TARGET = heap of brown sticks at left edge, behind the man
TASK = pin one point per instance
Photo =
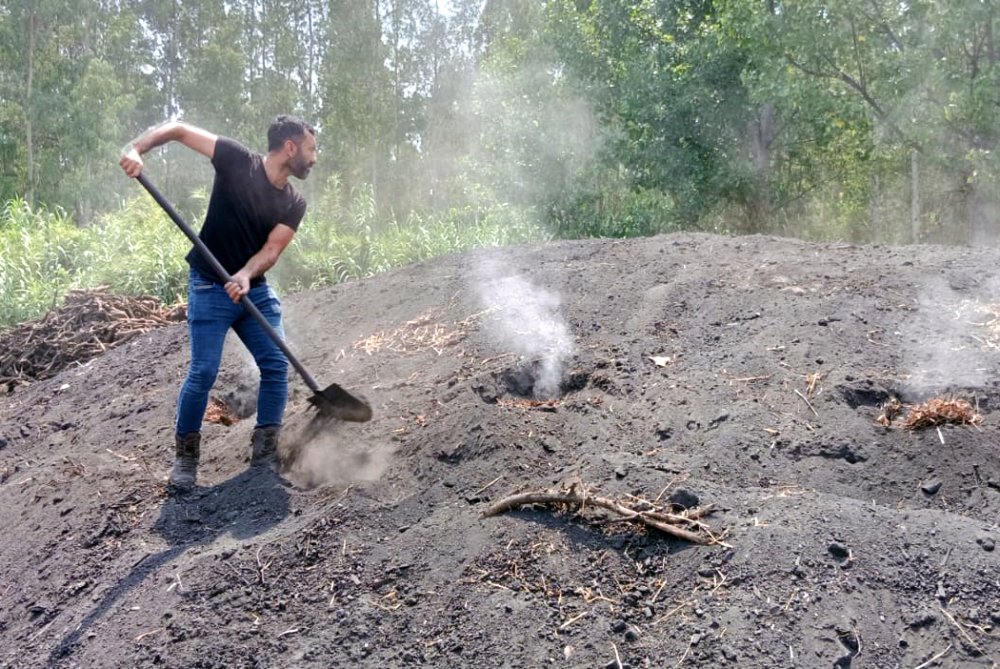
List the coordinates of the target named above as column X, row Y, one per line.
column 90, row 322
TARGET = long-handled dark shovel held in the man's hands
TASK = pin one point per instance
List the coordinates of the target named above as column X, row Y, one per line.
column 332, row 401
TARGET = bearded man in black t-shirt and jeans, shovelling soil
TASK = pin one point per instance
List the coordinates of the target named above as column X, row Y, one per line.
column 252, row 216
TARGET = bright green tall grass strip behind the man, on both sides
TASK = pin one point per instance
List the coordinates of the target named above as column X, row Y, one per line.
column 137, row 250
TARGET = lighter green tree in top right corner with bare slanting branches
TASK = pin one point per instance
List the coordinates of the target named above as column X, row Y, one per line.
column 872, row 93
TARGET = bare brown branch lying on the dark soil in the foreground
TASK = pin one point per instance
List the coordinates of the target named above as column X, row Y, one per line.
column 680, row 525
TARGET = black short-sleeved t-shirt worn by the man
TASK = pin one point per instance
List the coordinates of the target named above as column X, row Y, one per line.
column 243, row 209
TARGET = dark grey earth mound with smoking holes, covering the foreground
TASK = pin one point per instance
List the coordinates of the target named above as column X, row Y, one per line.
column 742, row 373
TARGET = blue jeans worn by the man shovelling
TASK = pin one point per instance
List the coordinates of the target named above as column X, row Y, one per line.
column 210, row 315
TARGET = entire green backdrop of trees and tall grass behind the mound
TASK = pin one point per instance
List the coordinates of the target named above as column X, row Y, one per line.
column 868, row 120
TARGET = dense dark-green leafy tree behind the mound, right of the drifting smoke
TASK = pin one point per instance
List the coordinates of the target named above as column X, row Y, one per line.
column 670, row 96
